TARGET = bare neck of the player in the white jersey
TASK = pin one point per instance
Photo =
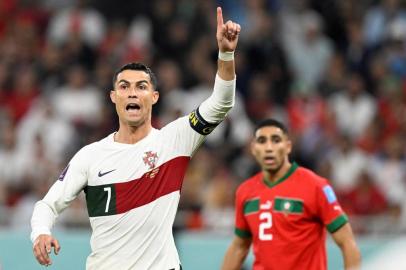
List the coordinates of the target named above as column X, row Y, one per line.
column 131, row 135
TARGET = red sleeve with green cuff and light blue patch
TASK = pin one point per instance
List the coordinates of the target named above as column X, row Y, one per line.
column 329, row 210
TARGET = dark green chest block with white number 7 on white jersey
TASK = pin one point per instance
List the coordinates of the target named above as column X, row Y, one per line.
column 97, row 199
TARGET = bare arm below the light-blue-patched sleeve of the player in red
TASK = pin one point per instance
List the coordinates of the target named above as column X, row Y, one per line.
column 346, row 242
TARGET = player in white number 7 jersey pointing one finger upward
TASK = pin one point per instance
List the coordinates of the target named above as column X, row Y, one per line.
column 132, row 178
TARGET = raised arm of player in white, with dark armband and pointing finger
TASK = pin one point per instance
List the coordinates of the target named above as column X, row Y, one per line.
column 204, row 119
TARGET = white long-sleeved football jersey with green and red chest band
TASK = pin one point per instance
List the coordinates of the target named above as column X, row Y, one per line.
column 133, row 190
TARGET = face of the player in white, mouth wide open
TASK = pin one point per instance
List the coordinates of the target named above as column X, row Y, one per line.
column 134, row 96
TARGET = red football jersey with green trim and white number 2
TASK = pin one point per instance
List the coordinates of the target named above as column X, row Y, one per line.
column 287, row 218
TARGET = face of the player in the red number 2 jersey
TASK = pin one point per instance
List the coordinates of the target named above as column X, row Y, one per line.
column 271, row 148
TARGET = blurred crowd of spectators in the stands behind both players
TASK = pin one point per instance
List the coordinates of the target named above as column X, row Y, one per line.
column 333, row 70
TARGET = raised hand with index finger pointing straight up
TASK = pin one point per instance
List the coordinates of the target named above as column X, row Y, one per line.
column 227, row 33
